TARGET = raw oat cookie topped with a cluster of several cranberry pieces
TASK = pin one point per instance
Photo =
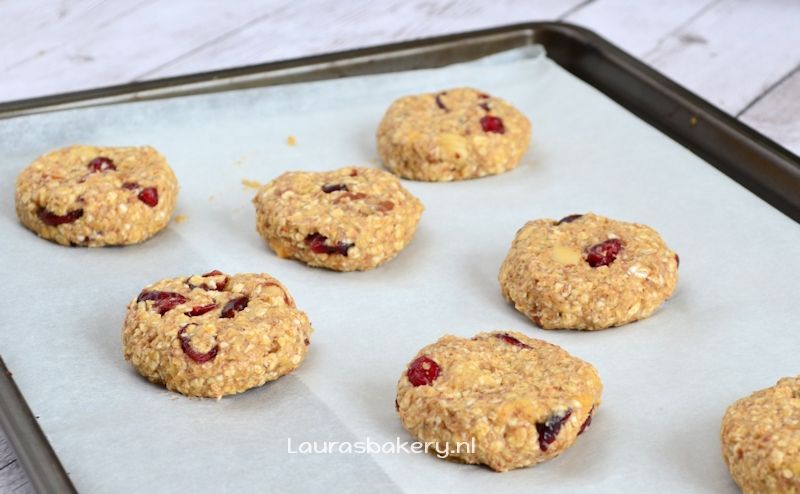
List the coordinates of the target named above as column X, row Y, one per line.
column 215, row 334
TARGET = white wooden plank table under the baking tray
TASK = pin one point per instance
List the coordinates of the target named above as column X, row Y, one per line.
column 742, row 55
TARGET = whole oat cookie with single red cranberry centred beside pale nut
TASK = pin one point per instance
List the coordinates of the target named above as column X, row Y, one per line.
column 587, row 272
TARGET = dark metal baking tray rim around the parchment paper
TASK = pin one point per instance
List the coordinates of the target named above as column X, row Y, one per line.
column 751, row 159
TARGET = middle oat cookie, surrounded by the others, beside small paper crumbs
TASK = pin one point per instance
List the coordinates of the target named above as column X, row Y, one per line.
column 346, row 220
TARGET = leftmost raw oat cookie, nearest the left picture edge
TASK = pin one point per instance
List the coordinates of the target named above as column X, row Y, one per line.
column 95, row 196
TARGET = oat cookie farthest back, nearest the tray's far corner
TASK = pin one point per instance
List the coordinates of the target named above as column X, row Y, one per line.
column 452, row 135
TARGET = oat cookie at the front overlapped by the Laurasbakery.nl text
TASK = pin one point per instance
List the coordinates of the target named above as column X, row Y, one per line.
column 520, row 401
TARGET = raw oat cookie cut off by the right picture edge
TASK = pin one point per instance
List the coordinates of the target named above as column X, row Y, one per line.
column 761, row 439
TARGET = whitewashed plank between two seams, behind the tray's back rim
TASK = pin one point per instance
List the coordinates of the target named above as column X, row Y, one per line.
column 289, row 31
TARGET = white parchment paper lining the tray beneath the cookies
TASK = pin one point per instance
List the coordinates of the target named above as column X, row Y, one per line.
column 730, row 329
